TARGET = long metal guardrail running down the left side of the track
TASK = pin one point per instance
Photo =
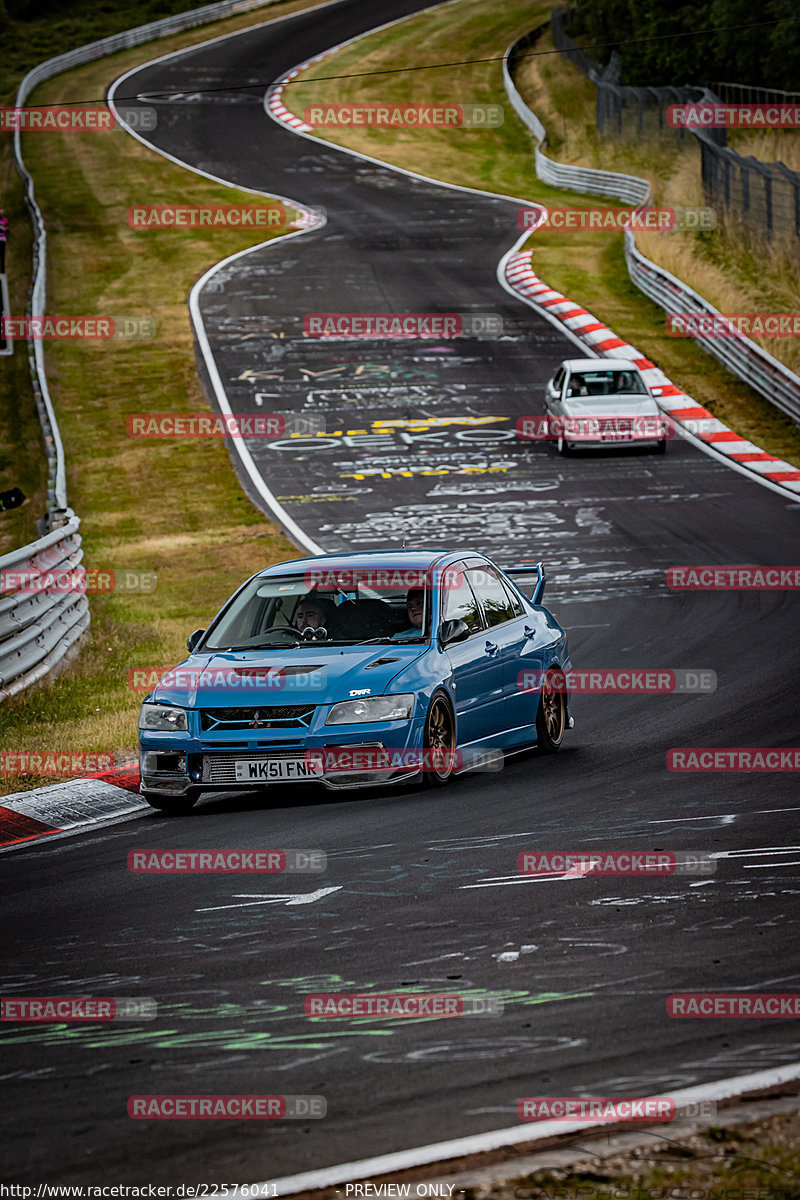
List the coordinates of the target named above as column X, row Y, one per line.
column 38, row 629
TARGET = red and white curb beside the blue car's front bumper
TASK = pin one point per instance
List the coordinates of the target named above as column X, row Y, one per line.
column 70, row 806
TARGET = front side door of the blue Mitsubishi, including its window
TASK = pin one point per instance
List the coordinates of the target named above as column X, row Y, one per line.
column 470, row 659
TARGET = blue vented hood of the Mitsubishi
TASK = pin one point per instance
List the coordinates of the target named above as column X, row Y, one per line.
column 315, row 675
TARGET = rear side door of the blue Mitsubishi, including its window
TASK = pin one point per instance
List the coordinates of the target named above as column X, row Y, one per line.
column 506, row 639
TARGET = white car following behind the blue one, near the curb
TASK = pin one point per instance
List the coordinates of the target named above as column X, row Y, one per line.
column 597, row 403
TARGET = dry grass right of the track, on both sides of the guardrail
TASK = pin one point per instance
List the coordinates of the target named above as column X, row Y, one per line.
column 587, row 266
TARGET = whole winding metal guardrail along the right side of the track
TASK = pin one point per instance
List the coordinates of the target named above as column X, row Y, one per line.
column 739, row 355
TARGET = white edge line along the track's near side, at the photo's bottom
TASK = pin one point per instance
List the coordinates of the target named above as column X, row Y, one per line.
column 520, row 1135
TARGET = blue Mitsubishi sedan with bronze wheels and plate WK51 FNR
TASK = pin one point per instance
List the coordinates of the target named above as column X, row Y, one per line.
column 359, row 669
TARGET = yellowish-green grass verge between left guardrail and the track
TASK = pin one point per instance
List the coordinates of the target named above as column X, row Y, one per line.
column 176, row 508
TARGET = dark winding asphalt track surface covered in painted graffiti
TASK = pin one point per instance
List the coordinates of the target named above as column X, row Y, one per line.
column 428, row 895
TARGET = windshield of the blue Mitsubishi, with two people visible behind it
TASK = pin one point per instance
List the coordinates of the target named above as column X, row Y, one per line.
column 341, row 608
